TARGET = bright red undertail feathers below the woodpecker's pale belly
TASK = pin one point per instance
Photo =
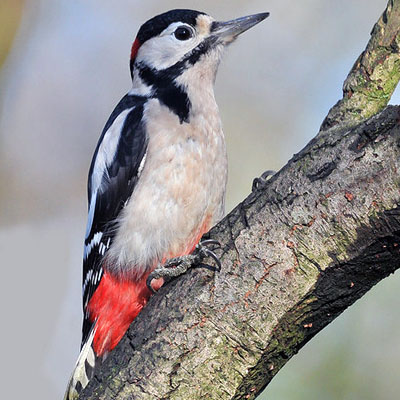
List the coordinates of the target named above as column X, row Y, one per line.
column 114, row 305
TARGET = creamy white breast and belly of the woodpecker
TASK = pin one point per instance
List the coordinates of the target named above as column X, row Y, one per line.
column 180, row 194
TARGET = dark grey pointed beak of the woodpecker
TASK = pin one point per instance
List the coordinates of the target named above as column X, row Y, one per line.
column 229, row 30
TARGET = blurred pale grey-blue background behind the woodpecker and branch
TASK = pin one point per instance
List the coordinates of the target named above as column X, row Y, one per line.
column 64, row 66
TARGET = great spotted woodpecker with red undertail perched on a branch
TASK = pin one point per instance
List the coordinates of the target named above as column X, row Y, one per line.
column 158, row 175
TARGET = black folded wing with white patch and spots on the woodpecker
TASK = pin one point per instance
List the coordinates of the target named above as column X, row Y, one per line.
column 113, row 175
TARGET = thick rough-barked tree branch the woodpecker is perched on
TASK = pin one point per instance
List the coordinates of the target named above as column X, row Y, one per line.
column 295, row 254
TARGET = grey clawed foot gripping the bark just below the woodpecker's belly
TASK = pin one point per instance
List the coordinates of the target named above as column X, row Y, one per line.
column 179, row 265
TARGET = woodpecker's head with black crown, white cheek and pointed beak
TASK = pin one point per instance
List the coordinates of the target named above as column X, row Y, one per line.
column 178, row 39
